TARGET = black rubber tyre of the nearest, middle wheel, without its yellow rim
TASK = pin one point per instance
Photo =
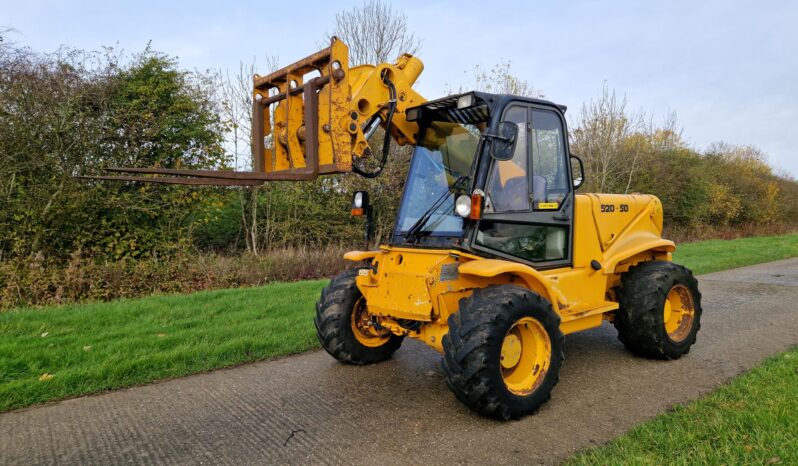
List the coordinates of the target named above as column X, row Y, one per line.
column 472, row 350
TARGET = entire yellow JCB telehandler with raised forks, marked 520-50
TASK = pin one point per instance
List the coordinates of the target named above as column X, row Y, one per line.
column 494, row 258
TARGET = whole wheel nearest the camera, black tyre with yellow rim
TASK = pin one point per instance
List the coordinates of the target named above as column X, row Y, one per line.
column 503, row 352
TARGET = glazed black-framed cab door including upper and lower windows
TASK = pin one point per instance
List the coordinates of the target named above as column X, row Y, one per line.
column 528, row 213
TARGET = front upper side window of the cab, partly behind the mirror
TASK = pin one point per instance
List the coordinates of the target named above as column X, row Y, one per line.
column 508, row 183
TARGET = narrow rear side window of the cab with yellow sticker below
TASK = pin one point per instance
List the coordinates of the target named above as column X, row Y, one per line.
column 549, row 165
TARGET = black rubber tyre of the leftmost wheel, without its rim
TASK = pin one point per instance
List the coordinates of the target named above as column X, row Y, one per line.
column 334, row 324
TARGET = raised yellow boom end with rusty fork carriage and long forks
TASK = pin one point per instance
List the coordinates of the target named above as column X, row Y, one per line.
column 312, row 118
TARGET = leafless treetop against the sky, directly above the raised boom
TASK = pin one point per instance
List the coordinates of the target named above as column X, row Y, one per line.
column 375, row 33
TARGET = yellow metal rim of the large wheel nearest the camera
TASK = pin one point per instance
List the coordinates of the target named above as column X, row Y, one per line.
column 525, row 356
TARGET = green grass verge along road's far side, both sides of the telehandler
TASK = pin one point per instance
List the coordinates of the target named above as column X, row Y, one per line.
column 91, row 348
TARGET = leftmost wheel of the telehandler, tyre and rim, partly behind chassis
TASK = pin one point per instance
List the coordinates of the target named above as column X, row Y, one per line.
column 345, row 328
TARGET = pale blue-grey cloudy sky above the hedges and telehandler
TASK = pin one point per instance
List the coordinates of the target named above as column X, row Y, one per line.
column 729, row 69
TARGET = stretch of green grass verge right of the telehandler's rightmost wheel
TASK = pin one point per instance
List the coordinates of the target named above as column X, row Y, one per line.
column 715, row 255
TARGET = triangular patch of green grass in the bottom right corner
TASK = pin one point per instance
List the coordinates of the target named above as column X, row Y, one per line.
column 752, row 420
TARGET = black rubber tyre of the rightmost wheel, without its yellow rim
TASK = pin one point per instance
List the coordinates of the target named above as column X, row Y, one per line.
column 640, row 320
